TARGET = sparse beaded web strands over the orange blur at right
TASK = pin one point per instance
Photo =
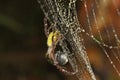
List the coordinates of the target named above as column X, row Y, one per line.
column 101, row 27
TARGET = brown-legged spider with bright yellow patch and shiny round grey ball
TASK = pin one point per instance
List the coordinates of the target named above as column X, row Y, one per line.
column 56, row 58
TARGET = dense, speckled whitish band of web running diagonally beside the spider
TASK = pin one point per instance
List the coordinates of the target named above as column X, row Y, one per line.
column 63, row 14
